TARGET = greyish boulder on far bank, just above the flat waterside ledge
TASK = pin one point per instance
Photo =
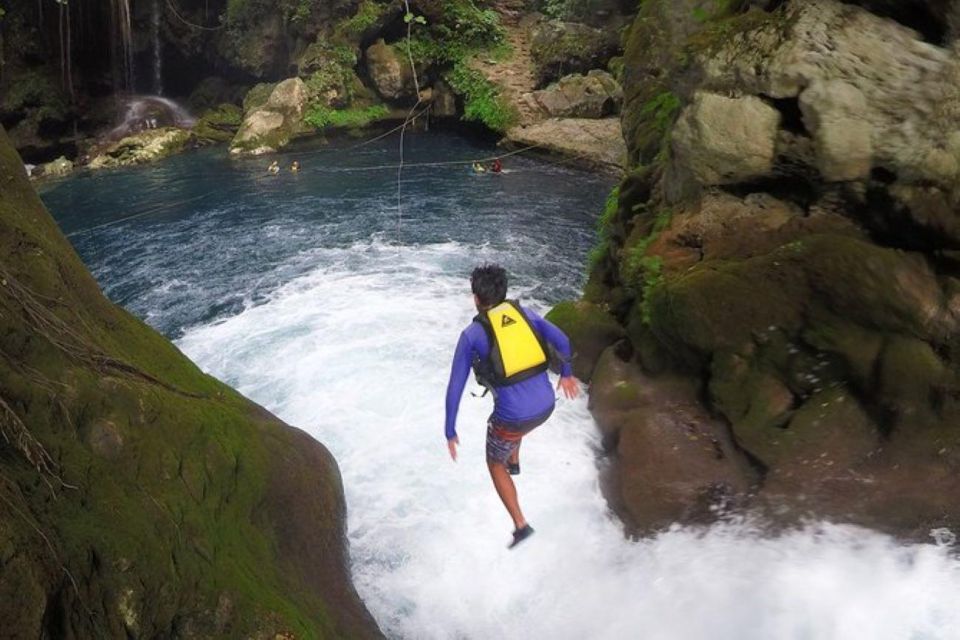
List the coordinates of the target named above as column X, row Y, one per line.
column 594, row 95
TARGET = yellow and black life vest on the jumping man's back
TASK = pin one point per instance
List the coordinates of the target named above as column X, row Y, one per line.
column 517, row 350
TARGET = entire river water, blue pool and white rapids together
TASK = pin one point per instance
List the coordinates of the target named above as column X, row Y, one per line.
column 304, row 293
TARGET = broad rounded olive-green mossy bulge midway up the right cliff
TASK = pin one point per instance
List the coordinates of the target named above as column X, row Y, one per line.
column 721, row 304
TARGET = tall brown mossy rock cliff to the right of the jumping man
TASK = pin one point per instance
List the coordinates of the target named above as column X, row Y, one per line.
column 782, row 259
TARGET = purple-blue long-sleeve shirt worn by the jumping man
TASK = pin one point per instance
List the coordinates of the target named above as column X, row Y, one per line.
column 525, row 400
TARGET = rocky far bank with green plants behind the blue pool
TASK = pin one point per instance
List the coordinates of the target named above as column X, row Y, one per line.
column 276, row 72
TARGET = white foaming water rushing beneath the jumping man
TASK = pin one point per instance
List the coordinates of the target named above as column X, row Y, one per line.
column 357, row 349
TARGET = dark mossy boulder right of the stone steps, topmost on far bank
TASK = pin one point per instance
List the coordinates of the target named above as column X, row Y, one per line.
column 561, row 48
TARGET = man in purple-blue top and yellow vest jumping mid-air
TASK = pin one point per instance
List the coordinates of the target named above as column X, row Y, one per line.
column 508, row 347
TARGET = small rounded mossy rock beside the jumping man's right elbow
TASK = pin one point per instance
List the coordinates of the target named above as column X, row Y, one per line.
column 590, row 328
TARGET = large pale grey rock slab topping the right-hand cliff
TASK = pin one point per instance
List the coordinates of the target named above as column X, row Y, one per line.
column 872, row 93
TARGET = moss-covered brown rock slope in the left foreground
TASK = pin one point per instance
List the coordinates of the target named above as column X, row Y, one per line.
column 138, row 496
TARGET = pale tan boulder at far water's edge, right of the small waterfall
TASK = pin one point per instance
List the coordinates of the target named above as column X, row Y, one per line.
column 270, row 127
